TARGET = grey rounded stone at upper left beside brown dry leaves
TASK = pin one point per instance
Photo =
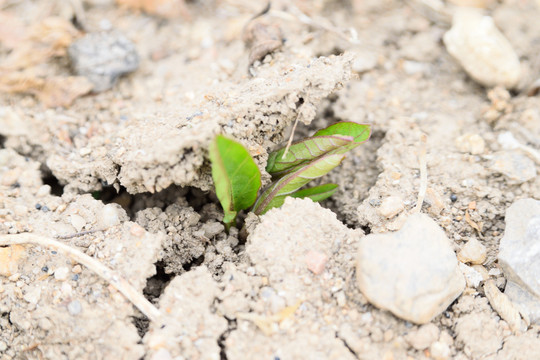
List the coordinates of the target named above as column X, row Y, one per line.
column 103, row 57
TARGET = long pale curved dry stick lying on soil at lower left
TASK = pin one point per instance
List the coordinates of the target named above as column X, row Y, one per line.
column 101, row 270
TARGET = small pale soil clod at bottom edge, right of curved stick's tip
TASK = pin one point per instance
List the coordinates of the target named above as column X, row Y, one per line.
column 191, row 329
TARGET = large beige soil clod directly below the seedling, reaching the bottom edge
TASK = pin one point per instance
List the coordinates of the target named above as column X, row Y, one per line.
column 289, row 300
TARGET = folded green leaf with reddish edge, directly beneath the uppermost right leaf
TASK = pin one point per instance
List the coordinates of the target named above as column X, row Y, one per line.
column 275, row 195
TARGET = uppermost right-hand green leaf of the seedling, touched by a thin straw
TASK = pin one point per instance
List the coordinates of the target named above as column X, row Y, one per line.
column 336, row 139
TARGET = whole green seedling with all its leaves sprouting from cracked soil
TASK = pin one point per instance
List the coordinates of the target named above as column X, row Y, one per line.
column 238, row 180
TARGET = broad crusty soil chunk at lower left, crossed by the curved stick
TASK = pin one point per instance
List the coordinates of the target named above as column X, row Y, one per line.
column 48, row 297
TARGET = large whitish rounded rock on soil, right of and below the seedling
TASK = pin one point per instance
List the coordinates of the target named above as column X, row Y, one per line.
column 413, row 272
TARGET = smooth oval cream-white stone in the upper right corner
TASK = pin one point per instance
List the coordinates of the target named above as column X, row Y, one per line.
column 482, row 50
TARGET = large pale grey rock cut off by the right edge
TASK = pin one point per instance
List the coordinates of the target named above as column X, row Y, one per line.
column 518, row 256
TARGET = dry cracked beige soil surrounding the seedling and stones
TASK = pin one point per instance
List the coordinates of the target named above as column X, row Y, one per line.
column 68, row 157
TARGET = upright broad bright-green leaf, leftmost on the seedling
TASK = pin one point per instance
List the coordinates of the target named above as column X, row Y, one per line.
column 236, row 177
